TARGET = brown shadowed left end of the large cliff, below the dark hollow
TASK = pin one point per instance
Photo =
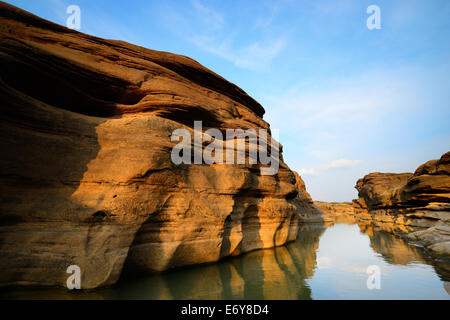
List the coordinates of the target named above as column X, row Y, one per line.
column 43, row 229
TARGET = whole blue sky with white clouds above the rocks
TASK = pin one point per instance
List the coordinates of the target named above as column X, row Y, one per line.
column 347, row 100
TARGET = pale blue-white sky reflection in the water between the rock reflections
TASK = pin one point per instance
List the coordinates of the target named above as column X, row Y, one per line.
column 343, row 257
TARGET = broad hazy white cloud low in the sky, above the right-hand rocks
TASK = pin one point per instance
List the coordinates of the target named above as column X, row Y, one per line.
column 377, row 116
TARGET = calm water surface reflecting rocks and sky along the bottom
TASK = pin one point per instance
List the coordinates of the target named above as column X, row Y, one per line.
column 322, row 264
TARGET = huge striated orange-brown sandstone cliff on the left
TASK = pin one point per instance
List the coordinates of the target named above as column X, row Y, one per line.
column 86, row 175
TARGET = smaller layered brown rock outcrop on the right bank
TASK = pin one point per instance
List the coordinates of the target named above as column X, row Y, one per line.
column 418, row 203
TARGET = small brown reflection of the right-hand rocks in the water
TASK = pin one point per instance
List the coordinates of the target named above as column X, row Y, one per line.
column 396, row 250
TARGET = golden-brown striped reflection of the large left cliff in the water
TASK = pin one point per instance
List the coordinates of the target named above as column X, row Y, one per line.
column 277, row 273
